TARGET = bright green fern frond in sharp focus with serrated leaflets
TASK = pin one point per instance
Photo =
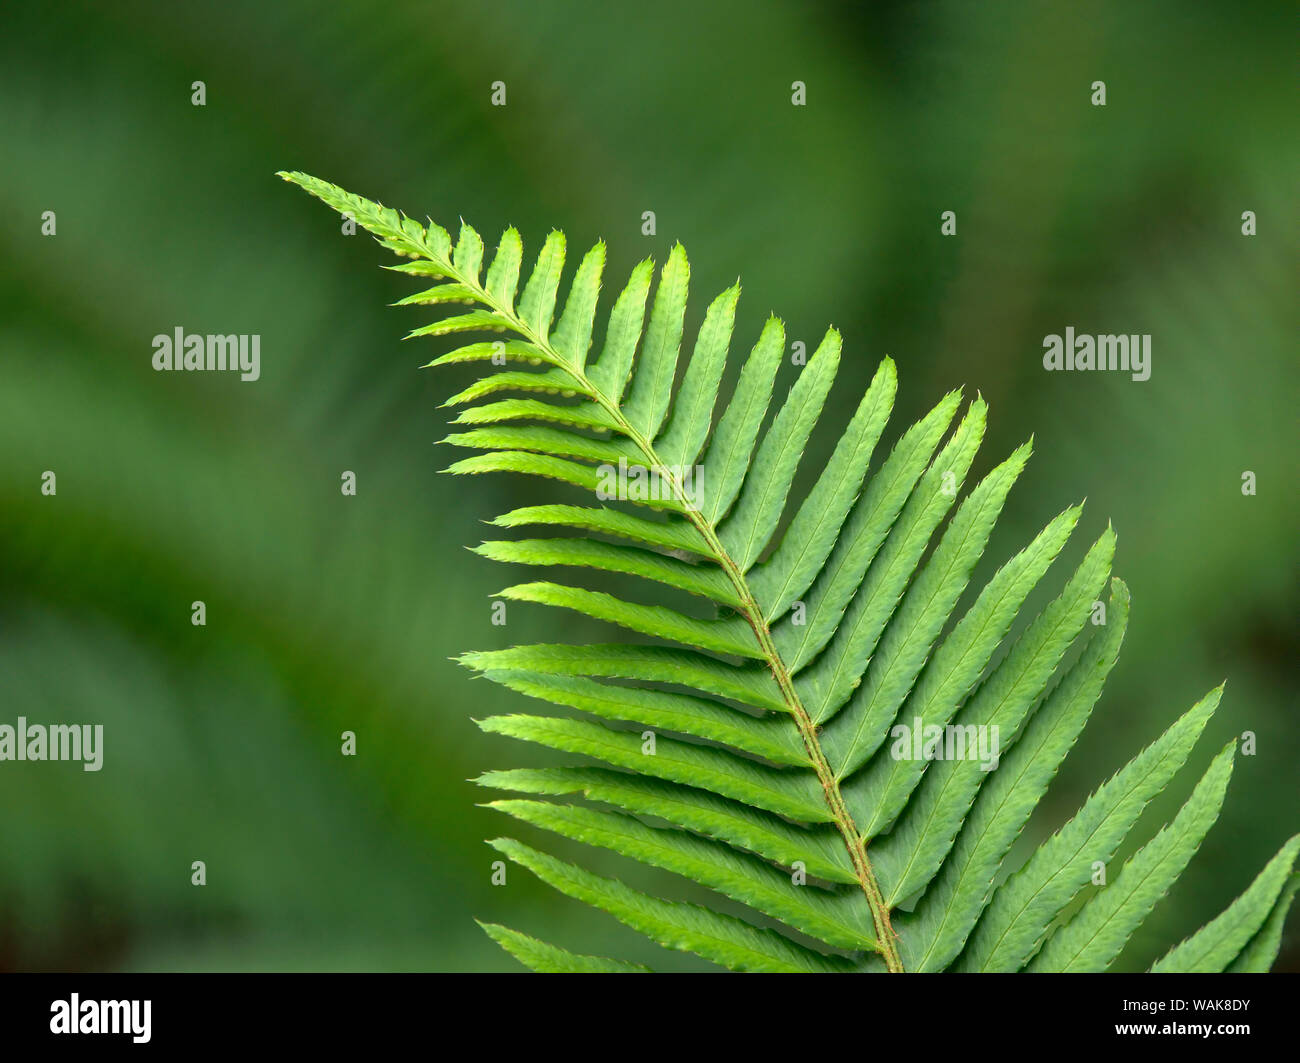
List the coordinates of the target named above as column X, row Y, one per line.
column 782, row 789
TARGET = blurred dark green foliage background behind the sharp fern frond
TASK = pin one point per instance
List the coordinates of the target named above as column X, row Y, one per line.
column 330, row 613
